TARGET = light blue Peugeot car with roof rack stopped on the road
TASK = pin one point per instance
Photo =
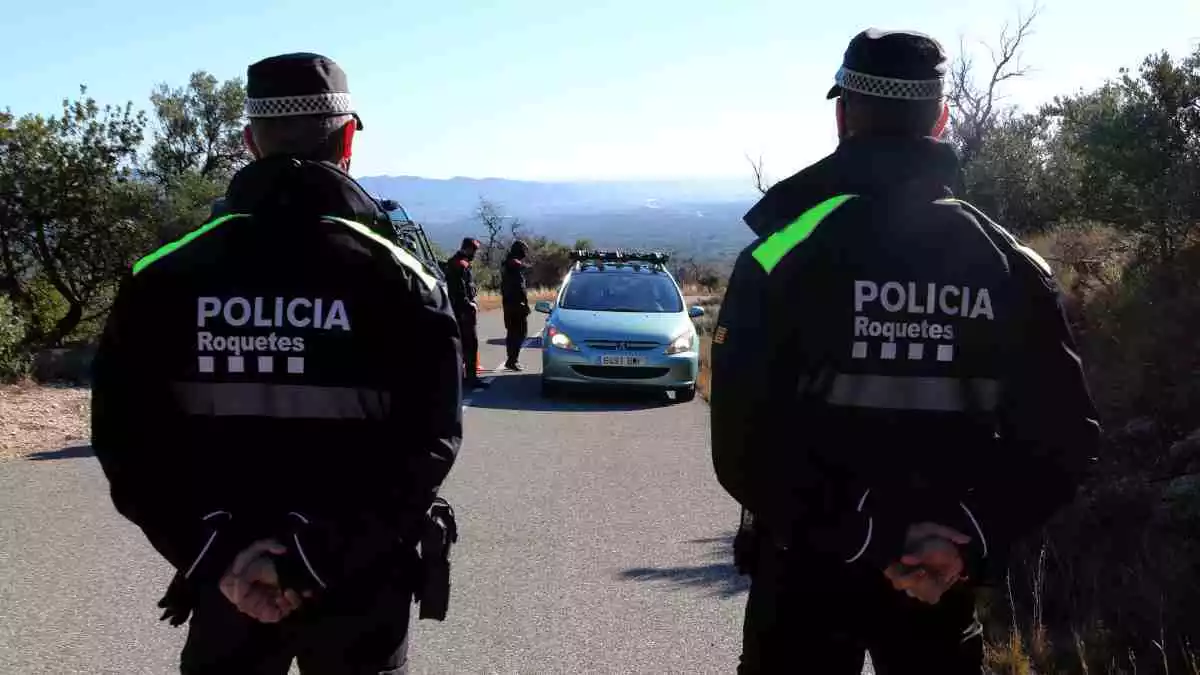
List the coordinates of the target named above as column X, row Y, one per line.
column 620, row 321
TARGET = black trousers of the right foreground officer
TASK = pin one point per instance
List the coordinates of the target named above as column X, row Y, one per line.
column 812, row 616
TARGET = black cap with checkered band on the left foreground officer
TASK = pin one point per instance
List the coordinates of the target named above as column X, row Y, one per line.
column 298, row 85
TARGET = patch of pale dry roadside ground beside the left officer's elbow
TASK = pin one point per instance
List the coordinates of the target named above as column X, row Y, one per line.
column 37, row 417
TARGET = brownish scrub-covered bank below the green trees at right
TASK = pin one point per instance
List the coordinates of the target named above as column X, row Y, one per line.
column 1111, row 586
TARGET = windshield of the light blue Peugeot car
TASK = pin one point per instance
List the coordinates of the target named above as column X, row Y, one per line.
column 622, row 292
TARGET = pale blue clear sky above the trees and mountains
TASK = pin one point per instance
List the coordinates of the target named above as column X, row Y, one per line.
column 535, row 89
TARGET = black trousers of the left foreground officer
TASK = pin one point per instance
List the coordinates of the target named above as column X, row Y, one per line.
column 362, row 632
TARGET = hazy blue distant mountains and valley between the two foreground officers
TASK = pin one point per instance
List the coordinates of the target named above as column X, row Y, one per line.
column 693, row 218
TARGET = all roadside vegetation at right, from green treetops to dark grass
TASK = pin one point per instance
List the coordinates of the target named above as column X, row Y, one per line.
column 1107, row 184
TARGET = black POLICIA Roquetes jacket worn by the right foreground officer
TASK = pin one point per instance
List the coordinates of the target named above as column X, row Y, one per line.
column 887, row 355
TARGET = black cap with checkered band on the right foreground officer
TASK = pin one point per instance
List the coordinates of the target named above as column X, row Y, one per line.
column 893, row 64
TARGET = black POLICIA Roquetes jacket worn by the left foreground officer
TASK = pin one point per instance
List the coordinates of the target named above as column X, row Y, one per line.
column 256, row 379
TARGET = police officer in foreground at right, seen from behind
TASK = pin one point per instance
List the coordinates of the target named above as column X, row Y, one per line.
column 897, row 397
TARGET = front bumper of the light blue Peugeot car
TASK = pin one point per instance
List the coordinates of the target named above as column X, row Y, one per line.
column 657, row 372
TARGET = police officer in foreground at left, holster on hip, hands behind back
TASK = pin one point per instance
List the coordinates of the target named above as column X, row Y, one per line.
column 257, row 410
